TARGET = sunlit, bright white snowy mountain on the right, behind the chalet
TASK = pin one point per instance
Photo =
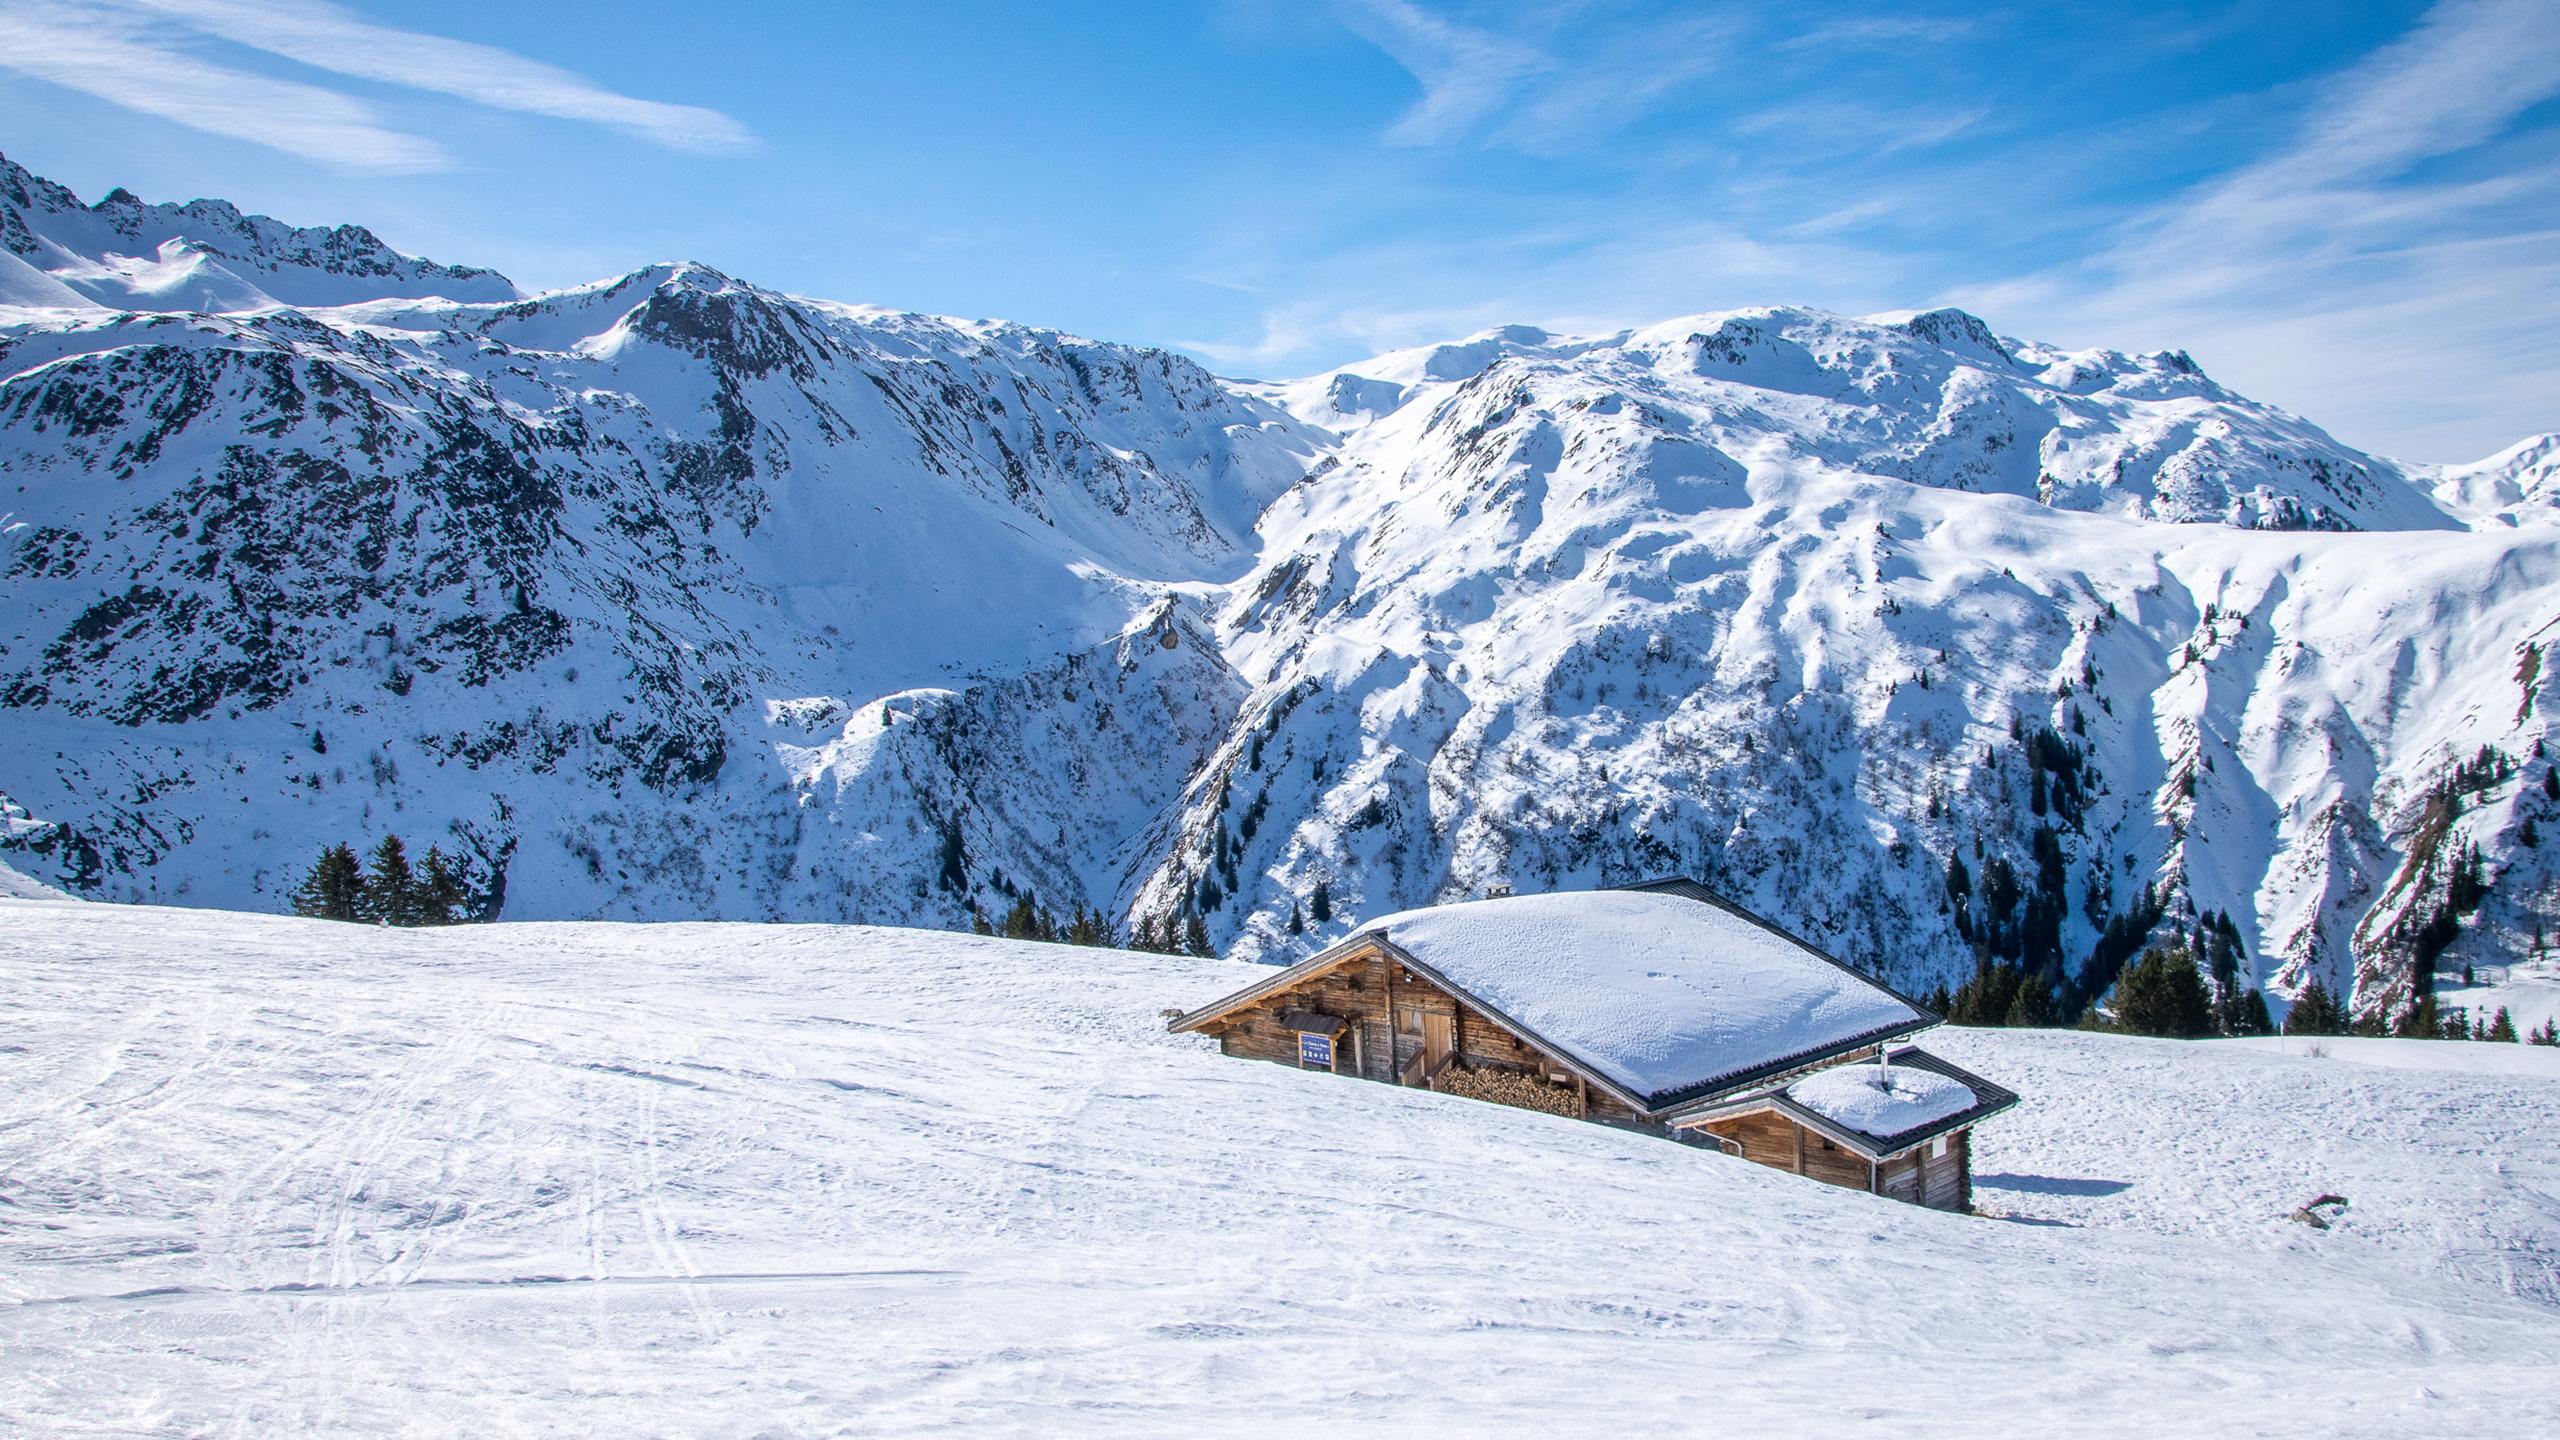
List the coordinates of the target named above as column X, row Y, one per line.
column 1783, row 598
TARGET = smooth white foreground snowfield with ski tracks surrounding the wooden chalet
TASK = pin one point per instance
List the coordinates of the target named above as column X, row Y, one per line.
column 293, row 1177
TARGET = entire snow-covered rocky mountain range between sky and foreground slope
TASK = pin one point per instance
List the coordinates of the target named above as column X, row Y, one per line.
column 682, row 598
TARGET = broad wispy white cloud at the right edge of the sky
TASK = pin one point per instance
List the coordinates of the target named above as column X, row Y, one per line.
column 2341, row 275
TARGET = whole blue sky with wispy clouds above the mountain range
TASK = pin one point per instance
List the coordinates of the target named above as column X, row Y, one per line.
column 2344, row 209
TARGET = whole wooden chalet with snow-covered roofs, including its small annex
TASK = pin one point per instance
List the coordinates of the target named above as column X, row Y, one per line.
column 1655, row 1008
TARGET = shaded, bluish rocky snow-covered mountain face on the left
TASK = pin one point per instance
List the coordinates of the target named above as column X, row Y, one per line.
column 611, row 593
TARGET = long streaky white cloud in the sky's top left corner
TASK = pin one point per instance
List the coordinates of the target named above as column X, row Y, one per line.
column 142, row 55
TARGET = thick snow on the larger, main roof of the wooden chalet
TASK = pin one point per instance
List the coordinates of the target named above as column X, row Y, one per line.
column 1660, row 993
